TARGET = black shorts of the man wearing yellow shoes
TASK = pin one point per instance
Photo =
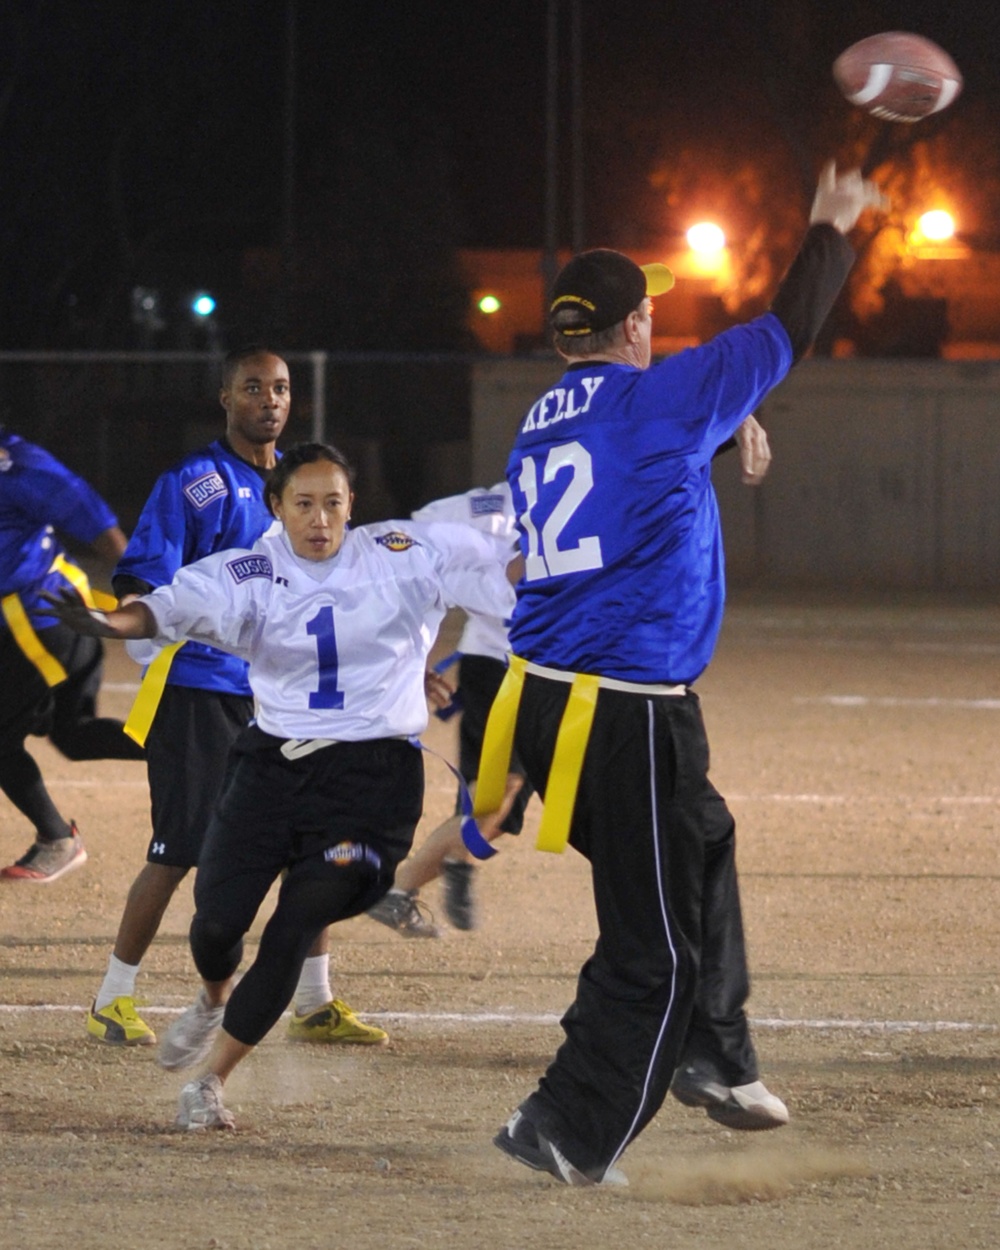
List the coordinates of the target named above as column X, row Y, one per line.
column 187, row 754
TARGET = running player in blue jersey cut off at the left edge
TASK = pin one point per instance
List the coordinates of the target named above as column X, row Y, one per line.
column 51, row 676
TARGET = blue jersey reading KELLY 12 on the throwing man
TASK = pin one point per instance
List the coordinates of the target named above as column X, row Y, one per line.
column 612, row 484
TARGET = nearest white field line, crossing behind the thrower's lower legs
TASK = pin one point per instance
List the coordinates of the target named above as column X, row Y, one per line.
column 473, row 1019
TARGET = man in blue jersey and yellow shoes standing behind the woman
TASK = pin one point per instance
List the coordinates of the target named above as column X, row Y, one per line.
column 209, row 502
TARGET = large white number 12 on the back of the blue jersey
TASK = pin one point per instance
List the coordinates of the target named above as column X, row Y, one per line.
column 546, row 557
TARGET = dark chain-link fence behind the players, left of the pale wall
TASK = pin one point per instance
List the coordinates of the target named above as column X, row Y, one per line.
column 121, row 418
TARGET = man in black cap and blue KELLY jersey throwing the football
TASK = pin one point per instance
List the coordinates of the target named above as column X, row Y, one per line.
column 617, row 617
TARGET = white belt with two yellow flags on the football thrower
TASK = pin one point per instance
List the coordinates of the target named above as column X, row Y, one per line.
column 571, row 744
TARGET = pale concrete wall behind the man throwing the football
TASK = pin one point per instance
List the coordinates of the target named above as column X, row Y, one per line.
column 887, row 473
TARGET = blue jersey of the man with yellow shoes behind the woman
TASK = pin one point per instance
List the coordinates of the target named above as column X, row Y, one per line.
column 209, row 502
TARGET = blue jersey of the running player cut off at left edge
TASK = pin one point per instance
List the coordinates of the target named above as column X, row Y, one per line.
column 39, row 499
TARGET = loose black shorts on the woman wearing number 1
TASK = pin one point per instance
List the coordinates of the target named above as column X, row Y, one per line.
column 351, row 808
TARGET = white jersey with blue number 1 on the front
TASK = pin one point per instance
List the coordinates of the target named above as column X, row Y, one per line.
column 337, row 648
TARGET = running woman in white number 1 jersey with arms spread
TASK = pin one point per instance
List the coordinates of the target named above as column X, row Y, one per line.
column 327, row 786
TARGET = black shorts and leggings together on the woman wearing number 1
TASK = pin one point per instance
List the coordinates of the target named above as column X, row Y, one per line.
column 337, row 823
